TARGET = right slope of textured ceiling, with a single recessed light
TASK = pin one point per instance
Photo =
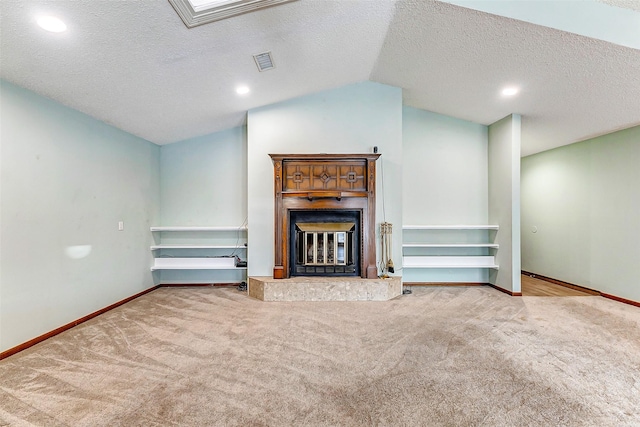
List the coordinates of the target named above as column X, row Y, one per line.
column 454, row 61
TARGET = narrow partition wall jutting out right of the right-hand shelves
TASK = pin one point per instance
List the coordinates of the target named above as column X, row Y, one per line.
column 504, row 199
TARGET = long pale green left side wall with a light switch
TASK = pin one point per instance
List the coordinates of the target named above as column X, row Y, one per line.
column 66, row 181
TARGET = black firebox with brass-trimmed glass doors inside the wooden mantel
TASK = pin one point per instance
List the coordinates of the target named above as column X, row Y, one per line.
column 324, row 243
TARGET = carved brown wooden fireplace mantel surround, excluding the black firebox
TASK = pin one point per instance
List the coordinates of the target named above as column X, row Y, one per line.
column 325, row 181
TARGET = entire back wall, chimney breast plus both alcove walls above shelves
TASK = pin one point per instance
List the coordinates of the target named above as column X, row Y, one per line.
column 452, row 188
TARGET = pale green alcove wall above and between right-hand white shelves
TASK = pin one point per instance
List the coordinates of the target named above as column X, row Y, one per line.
column 445, row 173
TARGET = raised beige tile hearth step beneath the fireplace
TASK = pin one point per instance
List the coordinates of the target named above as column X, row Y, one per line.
column 324, row 289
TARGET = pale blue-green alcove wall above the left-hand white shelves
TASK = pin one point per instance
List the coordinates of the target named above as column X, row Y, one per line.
column 203, row 181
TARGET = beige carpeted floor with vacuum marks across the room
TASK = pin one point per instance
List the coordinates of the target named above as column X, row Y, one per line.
column 442, row 356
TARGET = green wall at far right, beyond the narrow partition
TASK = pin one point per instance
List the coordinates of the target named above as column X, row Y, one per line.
column 584, row 200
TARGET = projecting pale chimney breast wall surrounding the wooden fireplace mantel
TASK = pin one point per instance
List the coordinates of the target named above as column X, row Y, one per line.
column 351, row 119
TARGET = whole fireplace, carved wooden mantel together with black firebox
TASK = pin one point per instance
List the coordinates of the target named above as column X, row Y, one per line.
column 324, row 215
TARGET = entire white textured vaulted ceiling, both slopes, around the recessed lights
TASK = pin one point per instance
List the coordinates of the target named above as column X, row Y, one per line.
column 134, row 64
